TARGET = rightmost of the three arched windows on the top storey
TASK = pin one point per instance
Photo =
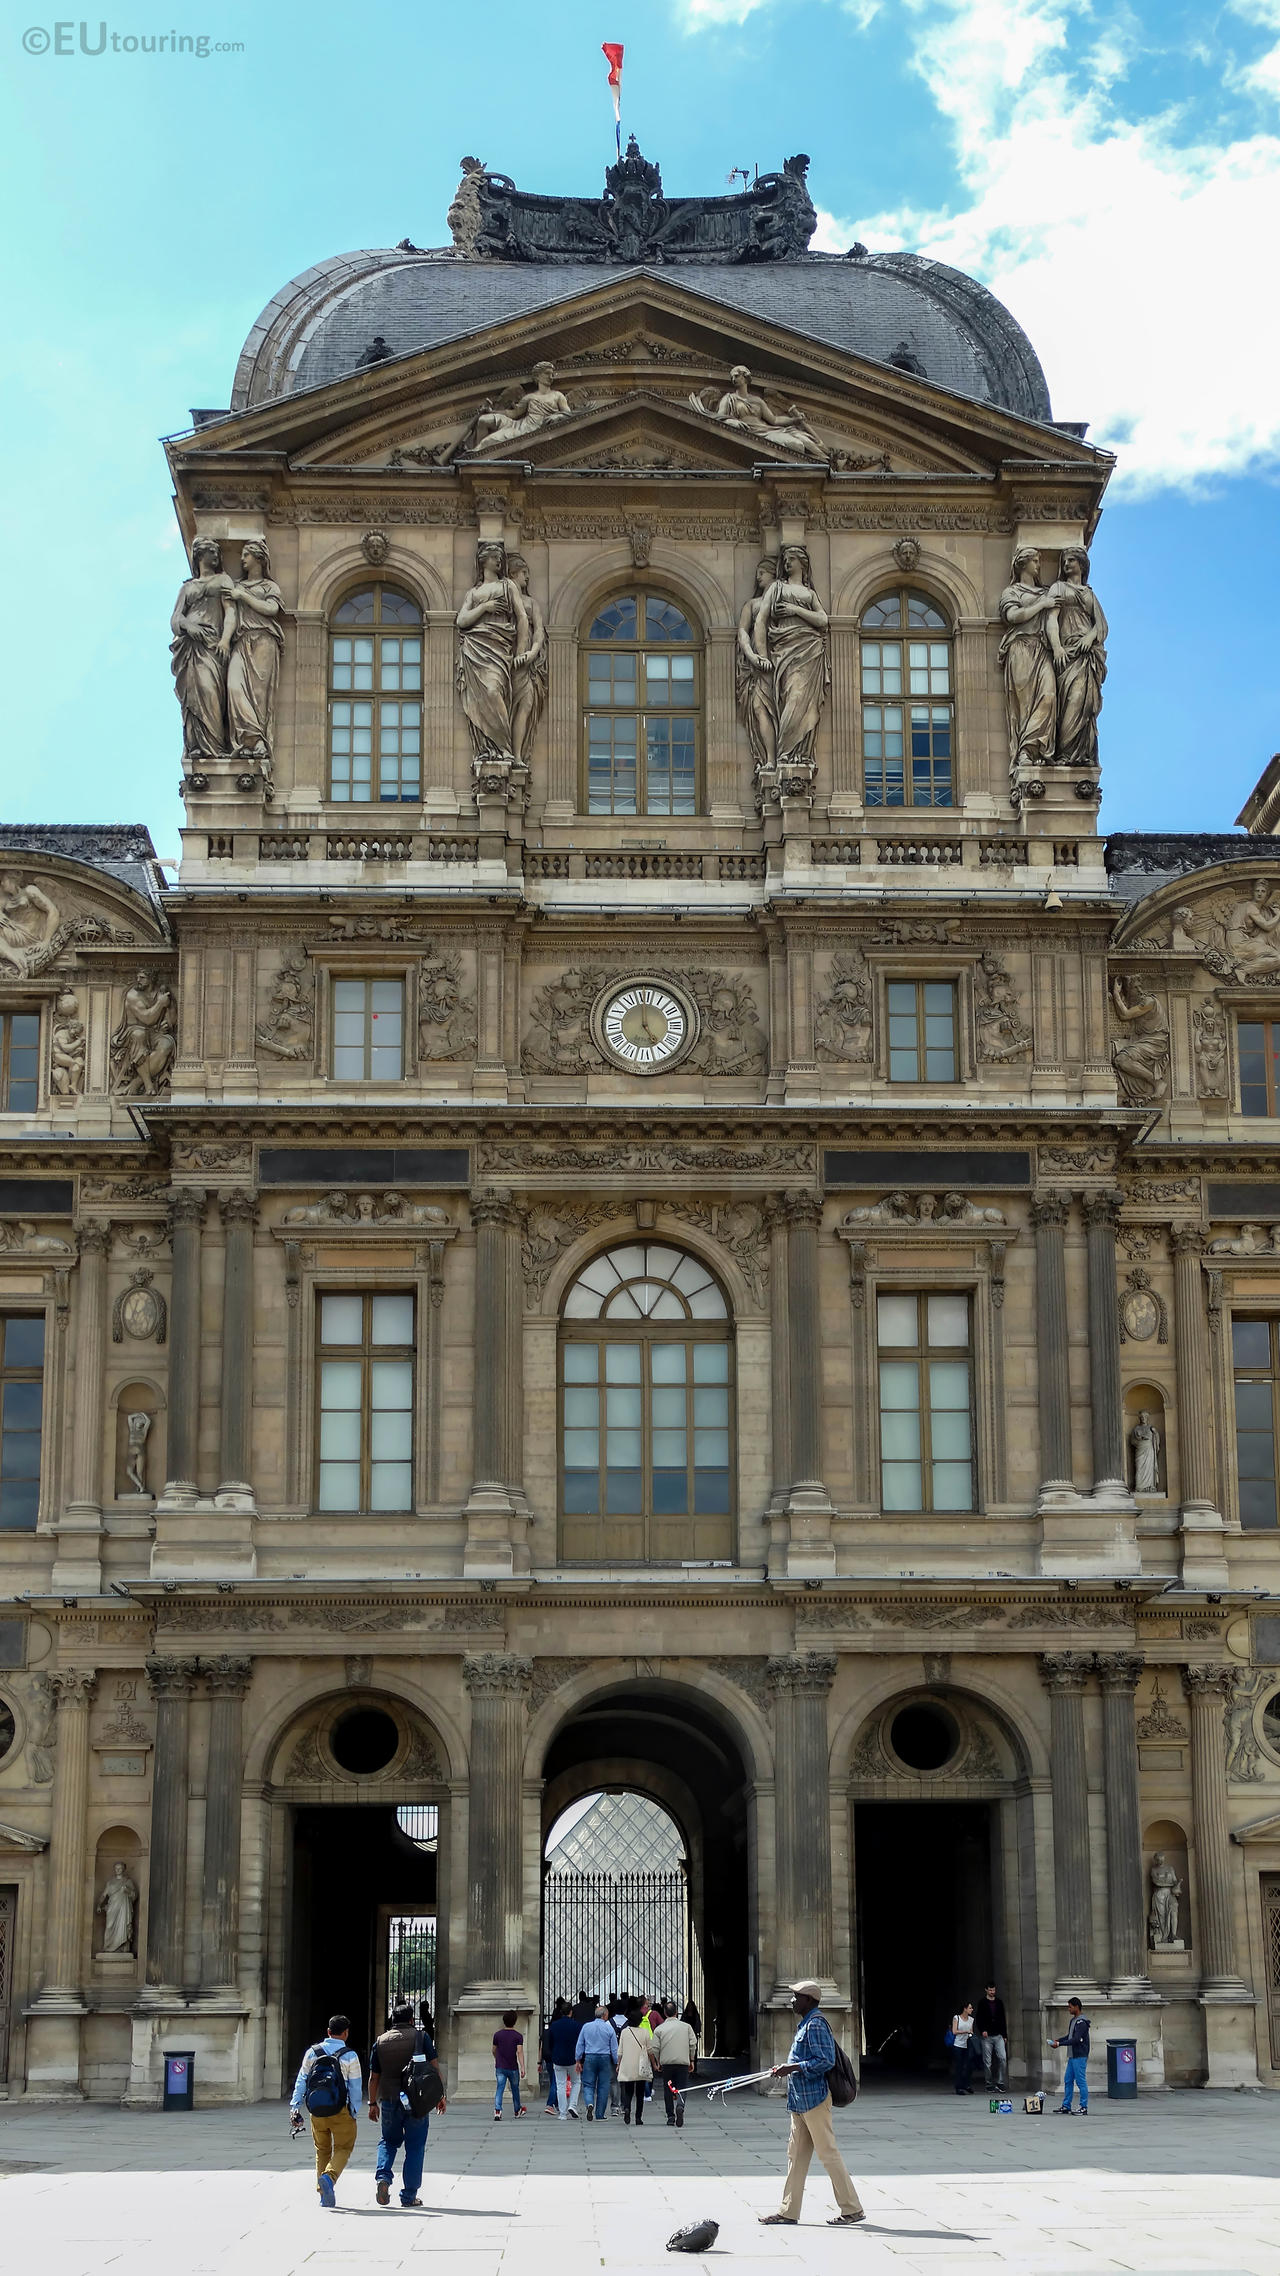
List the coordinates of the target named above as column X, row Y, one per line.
column 908, row 702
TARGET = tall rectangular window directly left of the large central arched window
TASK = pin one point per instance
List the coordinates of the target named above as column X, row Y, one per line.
column 366, row 1401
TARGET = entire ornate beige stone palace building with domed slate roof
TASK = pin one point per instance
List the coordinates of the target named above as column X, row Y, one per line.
column 655, row 1214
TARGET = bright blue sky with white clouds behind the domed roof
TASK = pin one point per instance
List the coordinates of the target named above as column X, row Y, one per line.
column 1110, row 170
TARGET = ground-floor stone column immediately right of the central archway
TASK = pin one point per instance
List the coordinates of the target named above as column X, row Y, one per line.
column 801, row 1685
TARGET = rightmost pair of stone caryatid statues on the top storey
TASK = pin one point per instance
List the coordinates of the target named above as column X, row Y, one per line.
column 1056, row 661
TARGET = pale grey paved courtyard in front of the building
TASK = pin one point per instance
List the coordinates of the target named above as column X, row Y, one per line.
column 1165, row 2186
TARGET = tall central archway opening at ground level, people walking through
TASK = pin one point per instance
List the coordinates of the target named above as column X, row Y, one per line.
column 668, row 1747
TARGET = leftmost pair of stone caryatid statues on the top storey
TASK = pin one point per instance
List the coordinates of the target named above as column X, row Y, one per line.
column 227, row 659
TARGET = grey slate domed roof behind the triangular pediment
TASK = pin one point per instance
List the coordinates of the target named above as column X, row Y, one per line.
column 894, row 308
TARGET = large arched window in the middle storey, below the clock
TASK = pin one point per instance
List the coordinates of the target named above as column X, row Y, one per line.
column 646, row 1410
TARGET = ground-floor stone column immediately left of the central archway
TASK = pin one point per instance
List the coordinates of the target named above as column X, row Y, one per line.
column 495, row 1852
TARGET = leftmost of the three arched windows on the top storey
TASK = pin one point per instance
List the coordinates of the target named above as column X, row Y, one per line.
column 375, row 700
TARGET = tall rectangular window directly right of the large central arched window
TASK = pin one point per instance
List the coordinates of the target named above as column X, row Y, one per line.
column 926, row 1403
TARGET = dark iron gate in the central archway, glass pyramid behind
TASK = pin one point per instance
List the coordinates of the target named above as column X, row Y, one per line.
column 618, row 1933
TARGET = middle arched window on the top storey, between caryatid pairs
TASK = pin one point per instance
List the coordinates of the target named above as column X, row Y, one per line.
column 643, row 709
